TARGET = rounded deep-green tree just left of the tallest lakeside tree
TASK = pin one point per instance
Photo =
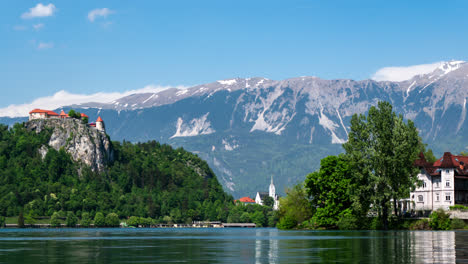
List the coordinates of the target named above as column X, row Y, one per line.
column 329, row 190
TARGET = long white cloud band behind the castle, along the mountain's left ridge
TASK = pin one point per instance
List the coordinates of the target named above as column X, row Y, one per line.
column 64, row 98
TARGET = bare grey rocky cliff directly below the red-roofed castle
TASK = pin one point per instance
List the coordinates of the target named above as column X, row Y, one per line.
column 85, row 144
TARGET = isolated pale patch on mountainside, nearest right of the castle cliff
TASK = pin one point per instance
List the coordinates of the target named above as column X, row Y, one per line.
column 196, row 127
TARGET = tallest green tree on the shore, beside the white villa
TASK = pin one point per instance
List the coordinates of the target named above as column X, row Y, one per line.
column 381, row 149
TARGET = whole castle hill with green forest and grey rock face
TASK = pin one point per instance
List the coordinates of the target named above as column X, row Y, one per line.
column 39, row 176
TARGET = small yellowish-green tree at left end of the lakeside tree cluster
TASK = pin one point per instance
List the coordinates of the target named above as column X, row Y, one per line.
column 294, row 207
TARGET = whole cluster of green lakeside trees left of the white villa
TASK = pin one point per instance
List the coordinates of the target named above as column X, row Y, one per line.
column 360, row 188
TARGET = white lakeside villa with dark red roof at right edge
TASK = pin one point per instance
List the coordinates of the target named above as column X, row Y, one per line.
column 444, row 183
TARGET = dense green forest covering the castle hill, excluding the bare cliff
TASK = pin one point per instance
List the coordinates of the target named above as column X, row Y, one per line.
column 145, row 180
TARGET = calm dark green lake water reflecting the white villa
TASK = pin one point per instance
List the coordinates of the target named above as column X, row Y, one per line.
column 210, row 245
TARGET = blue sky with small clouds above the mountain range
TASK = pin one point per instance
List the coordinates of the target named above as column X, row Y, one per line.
column 100, row 50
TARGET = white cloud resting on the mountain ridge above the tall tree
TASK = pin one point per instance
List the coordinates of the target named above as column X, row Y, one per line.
column 403, row 73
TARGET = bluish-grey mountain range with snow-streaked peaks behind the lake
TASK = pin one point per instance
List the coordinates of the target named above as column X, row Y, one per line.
column 251, row 129
